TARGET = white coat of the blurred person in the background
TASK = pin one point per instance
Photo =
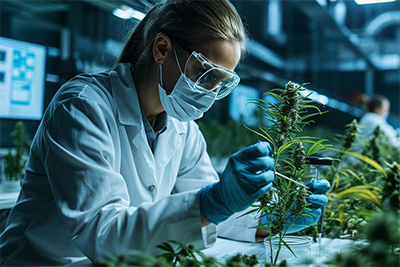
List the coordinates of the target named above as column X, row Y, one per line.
column 370, row 121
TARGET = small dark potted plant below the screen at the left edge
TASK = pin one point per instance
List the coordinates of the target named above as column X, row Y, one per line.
column 14, row 162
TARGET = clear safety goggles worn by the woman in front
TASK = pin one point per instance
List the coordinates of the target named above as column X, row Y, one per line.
column 208, row 75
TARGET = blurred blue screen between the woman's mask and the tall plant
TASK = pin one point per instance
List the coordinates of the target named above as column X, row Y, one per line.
column 237, row 104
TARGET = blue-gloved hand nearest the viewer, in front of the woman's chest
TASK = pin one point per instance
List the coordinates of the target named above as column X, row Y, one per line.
column 247, row 176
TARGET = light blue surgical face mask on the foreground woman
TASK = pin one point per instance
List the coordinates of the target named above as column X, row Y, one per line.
column 187, row 102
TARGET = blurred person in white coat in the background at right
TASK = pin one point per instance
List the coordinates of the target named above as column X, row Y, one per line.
column 378, row 108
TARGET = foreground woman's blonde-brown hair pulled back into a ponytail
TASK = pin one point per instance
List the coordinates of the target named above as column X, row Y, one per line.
column 192, row 22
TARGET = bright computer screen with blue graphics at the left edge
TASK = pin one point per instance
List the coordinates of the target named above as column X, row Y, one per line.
column 22, row 78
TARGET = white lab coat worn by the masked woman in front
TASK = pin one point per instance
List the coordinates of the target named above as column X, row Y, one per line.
column 94, row 189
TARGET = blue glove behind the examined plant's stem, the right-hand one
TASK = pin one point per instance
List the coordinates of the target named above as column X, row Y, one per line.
column 317, row 200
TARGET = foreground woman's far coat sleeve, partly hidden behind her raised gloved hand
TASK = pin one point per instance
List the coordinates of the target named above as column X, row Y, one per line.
column 196, row 170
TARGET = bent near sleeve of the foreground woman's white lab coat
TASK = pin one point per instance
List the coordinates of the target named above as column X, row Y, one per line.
column 78, row 156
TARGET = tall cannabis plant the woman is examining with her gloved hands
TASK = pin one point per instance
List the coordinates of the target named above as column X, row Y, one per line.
column 286, row 201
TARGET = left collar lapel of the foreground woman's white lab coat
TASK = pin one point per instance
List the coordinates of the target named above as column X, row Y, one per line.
column 125, row 95
